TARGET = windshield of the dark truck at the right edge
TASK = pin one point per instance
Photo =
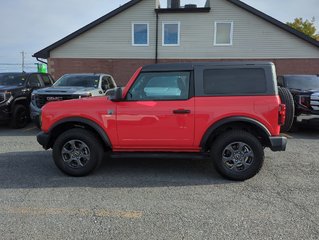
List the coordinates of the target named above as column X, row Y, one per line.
column 302, row 82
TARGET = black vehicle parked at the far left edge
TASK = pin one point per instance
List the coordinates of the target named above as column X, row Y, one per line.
column 15, row 95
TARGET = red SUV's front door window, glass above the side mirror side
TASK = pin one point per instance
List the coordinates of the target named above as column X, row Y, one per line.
column 160, row 86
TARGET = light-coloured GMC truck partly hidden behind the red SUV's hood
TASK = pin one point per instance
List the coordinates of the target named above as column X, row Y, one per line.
column 71, row 86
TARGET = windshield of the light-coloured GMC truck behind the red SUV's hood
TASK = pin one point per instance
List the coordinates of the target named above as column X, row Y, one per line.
column 77, row 81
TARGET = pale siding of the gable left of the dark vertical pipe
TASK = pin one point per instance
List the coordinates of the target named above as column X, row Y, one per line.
column 113, row 38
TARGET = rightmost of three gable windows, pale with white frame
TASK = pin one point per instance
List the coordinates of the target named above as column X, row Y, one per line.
column 223, row 34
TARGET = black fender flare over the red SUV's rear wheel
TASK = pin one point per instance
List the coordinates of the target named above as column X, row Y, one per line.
column 238, row 119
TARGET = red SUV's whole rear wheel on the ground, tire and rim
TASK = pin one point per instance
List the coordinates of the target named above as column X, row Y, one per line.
column 237, row 155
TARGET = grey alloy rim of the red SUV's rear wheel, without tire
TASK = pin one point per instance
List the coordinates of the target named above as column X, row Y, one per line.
column 237, row 156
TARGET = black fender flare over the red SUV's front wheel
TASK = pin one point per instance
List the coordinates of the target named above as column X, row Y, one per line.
column 97, row 128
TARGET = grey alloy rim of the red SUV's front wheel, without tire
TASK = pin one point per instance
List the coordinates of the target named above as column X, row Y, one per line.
column 75, row 154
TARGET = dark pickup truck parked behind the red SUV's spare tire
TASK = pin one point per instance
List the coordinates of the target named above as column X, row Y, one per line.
column 305, row 93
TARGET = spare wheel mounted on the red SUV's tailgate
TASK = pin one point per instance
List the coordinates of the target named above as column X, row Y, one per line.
column 287, row 98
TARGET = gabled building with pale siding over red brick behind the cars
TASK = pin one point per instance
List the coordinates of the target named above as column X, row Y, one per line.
column 140, row 32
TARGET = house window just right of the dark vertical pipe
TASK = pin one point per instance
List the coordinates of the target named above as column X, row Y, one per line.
column 171, row 33
